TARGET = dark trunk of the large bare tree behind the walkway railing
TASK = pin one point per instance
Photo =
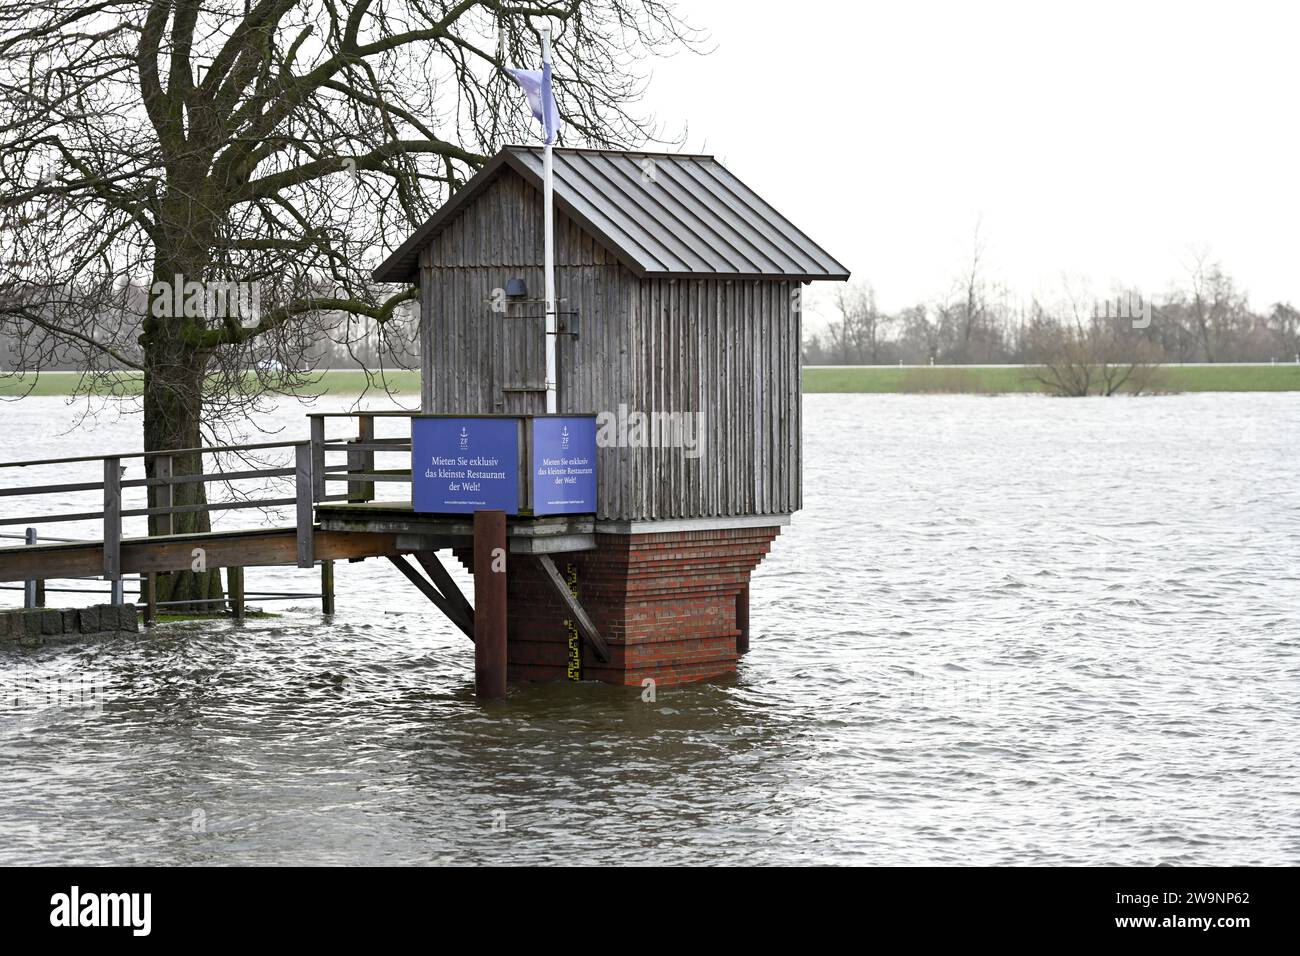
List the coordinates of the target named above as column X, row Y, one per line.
column 174, row 406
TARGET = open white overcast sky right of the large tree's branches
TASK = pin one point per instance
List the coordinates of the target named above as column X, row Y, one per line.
column 1094, row 140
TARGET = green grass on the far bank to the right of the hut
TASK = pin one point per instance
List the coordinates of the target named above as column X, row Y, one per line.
column 887, row 379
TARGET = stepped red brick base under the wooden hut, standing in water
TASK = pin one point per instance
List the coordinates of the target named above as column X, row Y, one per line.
column 665, row 603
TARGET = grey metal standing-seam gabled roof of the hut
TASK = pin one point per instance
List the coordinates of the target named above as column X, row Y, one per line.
column 662, row 214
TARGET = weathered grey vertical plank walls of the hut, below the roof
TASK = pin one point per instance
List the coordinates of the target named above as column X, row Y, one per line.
column 727, row 349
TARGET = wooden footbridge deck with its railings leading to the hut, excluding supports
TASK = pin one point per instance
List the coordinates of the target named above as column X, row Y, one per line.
column 330, row 527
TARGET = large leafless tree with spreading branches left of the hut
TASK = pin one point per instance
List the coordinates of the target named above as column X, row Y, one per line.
column 268, row 149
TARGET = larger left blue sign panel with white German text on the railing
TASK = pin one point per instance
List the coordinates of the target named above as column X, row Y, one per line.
column 460, row 466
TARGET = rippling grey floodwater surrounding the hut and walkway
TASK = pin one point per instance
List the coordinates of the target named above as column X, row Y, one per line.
column 1008, row 630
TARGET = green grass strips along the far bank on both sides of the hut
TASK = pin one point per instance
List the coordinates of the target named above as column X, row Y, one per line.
column 879, row 379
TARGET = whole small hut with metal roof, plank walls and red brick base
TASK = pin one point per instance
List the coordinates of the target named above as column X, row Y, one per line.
column 679, row 297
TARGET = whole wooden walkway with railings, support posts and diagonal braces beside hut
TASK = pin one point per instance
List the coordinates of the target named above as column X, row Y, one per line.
column 350, row 525
